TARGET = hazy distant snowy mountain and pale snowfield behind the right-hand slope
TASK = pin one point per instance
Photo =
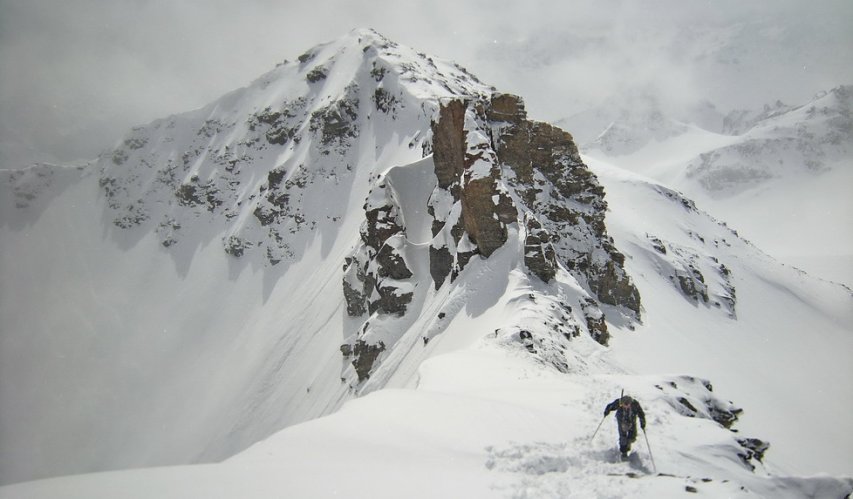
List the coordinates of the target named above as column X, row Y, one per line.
column 746, row 167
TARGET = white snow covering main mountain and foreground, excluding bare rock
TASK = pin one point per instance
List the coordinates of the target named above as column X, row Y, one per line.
column 122, row 353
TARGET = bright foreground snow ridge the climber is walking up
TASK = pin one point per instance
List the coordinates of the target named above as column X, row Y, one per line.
column 484, row 421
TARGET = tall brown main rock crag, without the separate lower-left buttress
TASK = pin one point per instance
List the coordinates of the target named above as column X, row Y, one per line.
column 483, row 149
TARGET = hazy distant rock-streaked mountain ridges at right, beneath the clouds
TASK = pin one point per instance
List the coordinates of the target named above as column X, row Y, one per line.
column 768, row 143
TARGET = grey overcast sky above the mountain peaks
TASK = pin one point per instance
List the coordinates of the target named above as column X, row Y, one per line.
column 75, row 74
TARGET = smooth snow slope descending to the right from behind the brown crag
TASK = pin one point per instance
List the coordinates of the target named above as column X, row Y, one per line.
column 783, row 358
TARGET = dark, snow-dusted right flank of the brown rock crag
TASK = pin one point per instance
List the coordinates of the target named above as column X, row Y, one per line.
column 554, row 183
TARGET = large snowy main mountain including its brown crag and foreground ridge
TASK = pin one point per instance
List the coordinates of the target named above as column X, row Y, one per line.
column 369, row 222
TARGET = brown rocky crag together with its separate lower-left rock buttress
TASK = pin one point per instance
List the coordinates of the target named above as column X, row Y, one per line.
column 495, row 173
